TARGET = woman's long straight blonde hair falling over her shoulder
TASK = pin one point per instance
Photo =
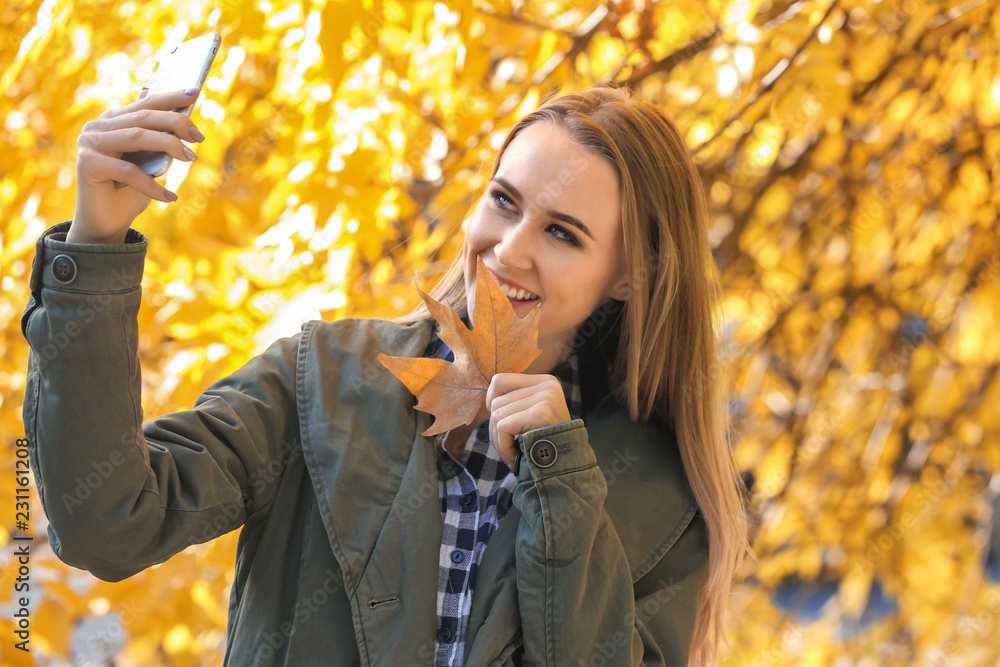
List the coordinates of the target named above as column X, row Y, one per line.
column 667, row 363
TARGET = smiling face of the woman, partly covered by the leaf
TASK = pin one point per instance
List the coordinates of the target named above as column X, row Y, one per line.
column 550, row 224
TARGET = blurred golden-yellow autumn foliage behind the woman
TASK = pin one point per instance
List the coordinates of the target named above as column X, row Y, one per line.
column 850, row 151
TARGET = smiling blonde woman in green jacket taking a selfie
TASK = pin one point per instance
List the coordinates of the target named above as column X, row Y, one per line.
column 590, row 519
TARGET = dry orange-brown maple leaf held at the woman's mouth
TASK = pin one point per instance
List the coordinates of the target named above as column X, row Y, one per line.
column 501, row 342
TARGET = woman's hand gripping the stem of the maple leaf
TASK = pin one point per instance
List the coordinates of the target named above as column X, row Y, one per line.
column 519, row 403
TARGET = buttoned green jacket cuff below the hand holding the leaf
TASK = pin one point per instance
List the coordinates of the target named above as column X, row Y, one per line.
column 553, row 450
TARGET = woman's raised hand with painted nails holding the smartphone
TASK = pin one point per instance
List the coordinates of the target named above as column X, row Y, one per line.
column 104, row 213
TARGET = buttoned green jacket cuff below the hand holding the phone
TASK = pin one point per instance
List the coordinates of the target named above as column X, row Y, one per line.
column 90, row 268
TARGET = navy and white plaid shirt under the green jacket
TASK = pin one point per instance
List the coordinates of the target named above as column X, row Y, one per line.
column 475, row 493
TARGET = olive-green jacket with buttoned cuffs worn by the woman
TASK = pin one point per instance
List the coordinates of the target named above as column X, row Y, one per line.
column 313, row 448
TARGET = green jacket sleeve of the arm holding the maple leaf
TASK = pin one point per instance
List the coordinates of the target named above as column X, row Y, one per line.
column 576, row 593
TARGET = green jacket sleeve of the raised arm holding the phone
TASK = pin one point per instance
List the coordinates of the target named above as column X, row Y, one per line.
column 119, row 495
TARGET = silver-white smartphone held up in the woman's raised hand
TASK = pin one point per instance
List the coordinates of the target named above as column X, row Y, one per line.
column 185, row 67
